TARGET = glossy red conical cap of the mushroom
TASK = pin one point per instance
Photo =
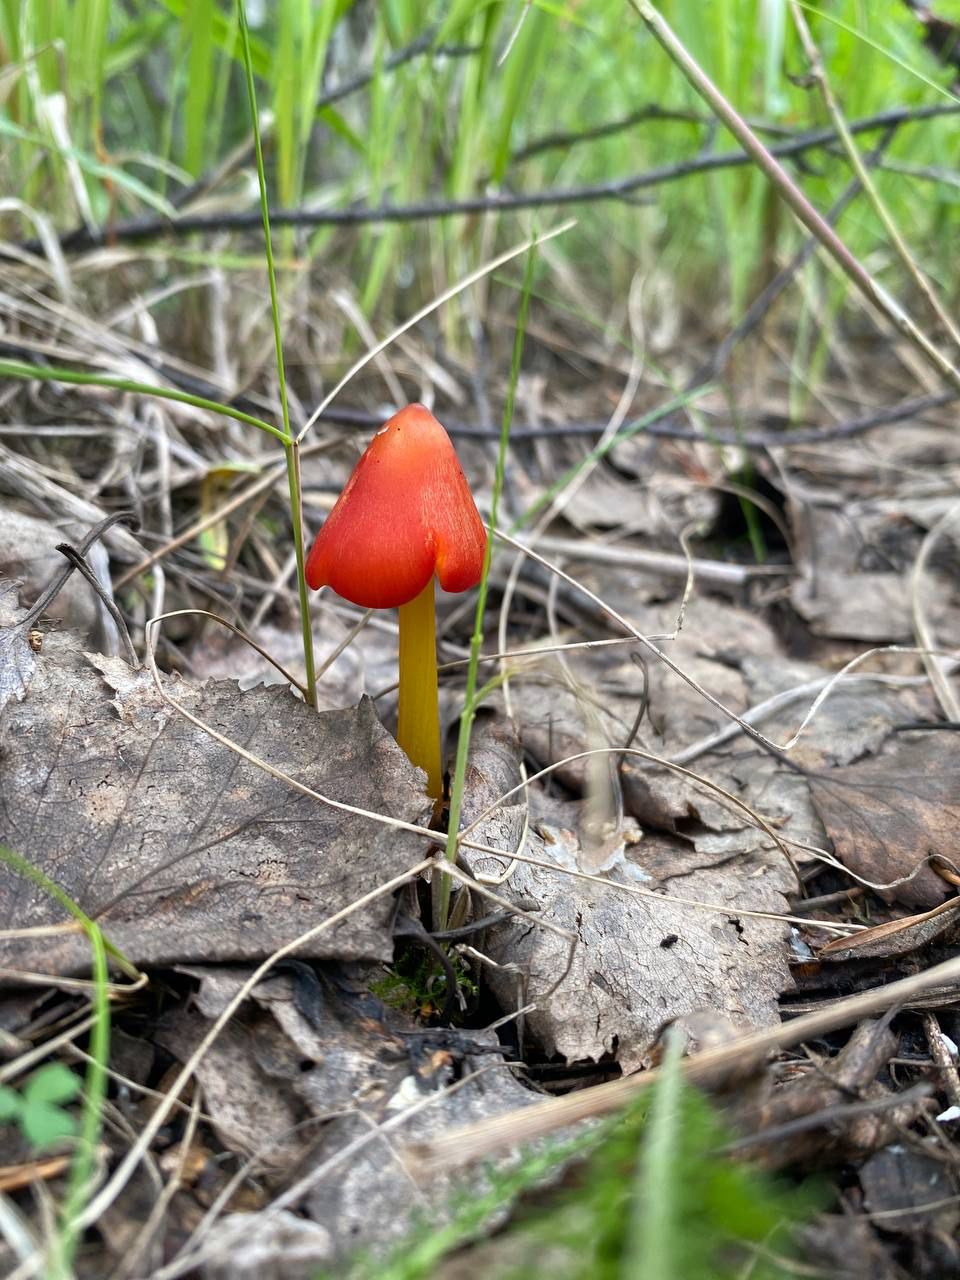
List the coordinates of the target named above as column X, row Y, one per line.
column 405, row 515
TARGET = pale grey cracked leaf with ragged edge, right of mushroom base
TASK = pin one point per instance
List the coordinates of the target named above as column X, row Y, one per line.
column 639, row 961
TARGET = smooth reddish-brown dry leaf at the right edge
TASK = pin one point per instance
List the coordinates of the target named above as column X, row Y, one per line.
column 888, row 815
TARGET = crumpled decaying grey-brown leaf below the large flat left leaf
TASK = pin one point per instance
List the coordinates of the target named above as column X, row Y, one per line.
column 319, row 1066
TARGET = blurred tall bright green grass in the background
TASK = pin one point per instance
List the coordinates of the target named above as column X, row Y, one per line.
column 158, row 88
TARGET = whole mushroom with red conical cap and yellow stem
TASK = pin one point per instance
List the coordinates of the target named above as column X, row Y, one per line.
column 405, row 516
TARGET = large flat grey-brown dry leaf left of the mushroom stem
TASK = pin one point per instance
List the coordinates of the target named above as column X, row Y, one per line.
column 175, row 844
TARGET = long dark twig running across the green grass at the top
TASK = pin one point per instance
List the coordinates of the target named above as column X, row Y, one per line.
column 153, row 227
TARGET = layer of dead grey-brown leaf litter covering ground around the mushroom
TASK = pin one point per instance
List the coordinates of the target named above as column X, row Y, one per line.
column 199, row 863
